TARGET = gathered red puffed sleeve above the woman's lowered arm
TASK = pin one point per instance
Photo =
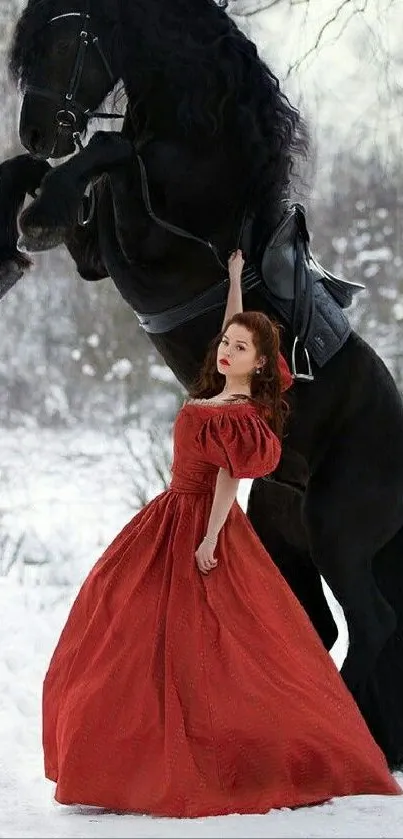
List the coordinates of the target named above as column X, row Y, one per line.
column 240, row 442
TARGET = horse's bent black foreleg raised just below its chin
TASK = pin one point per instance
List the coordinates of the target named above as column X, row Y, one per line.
column 46, row 222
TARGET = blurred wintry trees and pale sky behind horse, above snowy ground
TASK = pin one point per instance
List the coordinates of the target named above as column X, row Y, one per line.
column 72, row 352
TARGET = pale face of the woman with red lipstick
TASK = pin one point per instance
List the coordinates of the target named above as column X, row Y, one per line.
column 236, row 354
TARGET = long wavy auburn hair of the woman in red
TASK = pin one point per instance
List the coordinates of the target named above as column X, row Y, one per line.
column 266, row 387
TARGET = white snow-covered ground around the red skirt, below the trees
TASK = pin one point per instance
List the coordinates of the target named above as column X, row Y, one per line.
column 63, row 496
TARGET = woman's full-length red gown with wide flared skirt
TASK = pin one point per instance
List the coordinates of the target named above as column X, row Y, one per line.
column 179, row 694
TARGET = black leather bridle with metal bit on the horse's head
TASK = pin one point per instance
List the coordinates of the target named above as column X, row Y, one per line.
column 70, row 107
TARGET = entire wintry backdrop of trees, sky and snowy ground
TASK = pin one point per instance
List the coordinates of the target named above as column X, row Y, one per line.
column 86, row 402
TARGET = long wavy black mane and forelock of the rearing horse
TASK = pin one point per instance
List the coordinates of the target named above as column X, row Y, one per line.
column 212, row 72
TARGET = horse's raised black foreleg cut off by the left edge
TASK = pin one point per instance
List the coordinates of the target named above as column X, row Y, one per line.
column 19, row 176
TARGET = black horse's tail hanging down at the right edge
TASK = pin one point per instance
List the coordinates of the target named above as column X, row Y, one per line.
column 381, row 701
